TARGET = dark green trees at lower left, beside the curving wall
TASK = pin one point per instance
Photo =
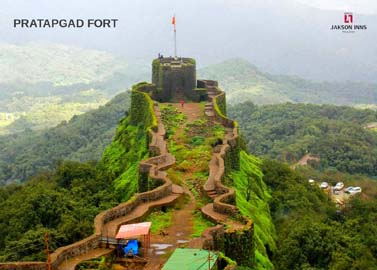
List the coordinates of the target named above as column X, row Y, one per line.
column 63, row 203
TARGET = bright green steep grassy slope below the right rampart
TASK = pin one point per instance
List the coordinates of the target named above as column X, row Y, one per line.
column 252, row 200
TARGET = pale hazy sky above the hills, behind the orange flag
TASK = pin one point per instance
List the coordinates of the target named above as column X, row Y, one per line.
column 279, row 36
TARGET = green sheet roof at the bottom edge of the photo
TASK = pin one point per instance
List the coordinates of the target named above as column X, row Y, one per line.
column 191, row 259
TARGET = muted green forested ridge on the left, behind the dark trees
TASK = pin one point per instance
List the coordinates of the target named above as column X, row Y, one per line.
column 83, row 138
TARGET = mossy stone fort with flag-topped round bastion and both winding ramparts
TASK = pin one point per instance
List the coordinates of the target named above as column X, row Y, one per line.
column 173, row 79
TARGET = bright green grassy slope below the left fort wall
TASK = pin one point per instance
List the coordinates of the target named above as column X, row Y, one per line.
column 121, row 158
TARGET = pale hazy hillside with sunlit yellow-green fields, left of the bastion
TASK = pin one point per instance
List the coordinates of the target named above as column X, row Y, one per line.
column 44, row 84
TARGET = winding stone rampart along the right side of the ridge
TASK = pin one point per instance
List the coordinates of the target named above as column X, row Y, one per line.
column 225, row 158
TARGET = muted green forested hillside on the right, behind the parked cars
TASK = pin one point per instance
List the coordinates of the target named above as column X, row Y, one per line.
column 336, row 134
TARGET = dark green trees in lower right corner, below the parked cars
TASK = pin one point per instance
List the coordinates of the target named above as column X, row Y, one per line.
column 311, row 234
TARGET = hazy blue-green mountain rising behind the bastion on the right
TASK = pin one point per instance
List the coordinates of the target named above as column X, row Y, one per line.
column 243, row 81
